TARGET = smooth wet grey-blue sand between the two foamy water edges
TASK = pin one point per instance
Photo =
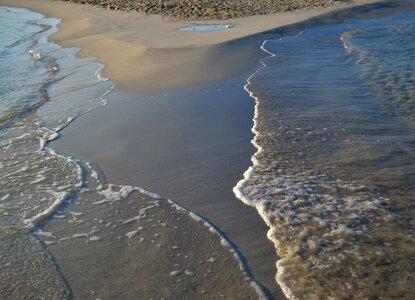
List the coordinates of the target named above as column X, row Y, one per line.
column 190, row 145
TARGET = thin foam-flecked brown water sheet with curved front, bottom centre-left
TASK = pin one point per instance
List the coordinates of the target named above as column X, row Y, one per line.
column 143, row 248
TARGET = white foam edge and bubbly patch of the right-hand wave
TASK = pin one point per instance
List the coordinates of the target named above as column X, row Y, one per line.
column 280, row 197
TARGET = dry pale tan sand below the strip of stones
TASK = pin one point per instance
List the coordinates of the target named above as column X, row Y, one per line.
column 148, row 52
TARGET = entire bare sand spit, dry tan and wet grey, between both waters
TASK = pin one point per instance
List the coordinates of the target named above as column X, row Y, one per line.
column 147, row 54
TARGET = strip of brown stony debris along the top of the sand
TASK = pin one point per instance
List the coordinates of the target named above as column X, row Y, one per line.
column 208, row 9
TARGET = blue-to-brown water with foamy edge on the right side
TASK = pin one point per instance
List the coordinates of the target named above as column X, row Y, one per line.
column 334, row 171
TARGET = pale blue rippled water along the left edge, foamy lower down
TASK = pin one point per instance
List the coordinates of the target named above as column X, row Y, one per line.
column 43, row 88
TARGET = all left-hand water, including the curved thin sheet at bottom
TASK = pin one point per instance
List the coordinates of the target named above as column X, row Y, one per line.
column 45, row 224
